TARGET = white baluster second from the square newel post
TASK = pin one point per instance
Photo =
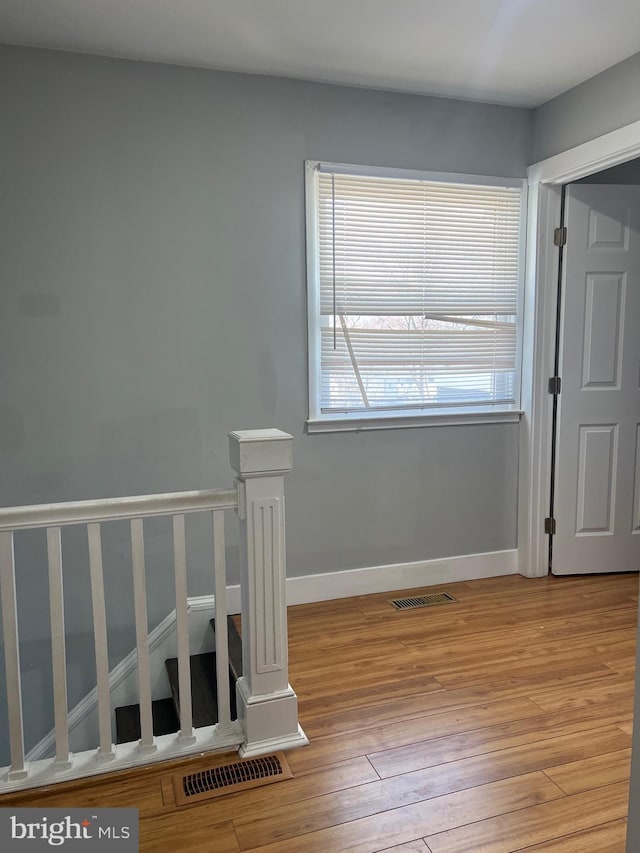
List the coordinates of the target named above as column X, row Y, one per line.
column 182, row 629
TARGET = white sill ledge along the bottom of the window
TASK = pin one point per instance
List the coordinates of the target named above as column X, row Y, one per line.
column 407, row 420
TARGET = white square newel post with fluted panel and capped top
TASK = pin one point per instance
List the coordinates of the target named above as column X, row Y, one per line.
column 267, row 706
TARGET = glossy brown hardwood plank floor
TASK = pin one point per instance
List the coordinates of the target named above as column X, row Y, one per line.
column 499, row 723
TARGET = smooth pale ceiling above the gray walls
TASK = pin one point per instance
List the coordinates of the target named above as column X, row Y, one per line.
column 520, row 52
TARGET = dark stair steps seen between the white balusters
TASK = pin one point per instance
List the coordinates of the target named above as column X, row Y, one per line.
column 166, row 712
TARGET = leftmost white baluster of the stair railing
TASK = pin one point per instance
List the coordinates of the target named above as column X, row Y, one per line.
column 18, row 769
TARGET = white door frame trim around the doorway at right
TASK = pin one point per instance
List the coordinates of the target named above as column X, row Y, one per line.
column 541, row 278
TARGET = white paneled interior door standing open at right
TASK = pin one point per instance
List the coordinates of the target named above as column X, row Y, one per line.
column 597, row 474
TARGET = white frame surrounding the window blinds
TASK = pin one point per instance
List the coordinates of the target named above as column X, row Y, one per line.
column 318, row 421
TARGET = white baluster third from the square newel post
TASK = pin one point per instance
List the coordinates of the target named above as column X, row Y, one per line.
column 147, row 743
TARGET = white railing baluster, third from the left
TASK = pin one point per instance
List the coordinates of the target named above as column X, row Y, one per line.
column 105, row 750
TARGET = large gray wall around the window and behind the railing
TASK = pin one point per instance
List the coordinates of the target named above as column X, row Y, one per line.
column 153, row 298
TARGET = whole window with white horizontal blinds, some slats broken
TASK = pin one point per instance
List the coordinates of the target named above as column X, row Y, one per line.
column 414, row 293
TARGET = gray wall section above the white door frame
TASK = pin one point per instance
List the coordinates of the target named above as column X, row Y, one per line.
column 604, row 103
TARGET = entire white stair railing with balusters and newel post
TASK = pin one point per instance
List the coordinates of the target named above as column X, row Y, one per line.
column 267, row 706
